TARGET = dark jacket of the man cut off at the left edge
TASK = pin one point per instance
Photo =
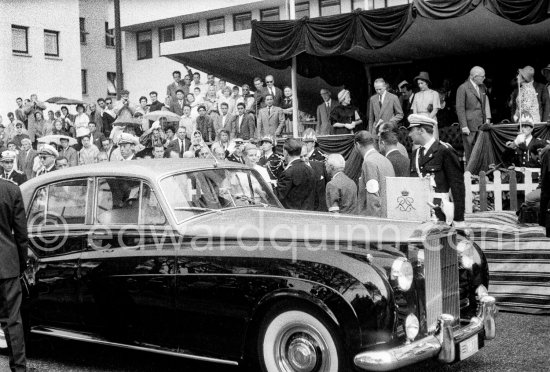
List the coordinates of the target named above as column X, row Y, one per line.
column 13, row 231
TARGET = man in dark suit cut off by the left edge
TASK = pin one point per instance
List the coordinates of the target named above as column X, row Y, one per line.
column 13, row 262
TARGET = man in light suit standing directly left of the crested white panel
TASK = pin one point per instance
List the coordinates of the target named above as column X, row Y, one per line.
column 372, row 184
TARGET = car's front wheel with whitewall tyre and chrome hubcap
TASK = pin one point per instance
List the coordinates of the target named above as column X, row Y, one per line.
column 299, row 340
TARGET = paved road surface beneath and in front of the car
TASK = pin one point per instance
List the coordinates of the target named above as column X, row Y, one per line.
column 523, row 344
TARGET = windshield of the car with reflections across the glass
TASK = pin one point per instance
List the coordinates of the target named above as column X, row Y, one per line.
column 197, row 192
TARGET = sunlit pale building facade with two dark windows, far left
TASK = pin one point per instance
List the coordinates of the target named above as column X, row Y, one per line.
column 39, row 50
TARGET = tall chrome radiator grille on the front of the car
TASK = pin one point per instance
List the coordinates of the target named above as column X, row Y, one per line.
column 442, row 283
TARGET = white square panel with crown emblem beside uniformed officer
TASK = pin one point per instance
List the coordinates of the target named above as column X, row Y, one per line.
column 407, row 198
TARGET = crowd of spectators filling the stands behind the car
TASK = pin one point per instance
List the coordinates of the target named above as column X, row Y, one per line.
column 239, row 124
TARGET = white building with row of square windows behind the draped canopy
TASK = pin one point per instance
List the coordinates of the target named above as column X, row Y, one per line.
column 213, row 36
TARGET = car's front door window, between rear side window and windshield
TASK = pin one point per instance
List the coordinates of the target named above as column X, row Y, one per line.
column 117, row 201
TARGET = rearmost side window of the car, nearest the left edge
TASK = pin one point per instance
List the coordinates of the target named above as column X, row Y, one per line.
column 60, row 203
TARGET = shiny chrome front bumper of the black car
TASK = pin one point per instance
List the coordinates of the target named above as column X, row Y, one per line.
column 441, row 344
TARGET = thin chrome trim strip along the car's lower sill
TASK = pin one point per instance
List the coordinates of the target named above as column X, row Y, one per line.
column 53, row 332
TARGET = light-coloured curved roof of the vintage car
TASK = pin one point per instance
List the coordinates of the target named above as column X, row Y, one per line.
column 144, row 168
